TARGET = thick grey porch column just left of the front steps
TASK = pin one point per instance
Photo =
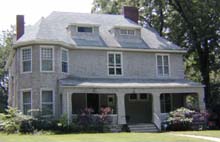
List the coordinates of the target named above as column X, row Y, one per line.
column 121, row 108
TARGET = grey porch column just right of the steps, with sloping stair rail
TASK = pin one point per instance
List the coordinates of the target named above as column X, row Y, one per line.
column 156, row 109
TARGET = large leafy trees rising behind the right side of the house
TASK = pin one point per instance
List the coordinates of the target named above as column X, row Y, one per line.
column 192, row 24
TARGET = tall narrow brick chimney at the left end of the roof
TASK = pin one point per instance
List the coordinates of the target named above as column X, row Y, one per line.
column 19, row 25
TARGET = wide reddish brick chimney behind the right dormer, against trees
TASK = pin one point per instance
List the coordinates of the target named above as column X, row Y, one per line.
column 131, row 13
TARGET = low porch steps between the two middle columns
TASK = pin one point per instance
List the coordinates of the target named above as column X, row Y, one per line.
column 146, row 127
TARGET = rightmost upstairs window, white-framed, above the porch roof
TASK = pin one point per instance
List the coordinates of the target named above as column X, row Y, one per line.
column 163, row 65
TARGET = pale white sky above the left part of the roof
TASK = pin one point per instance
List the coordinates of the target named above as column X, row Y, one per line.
column 33, row 10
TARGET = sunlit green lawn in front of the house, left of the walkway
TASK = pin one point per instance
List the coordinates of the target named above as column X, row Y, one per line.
column 106, row 137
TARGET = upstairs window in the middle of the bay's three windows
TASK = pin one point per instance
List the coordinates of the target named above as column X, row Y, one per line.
column 47, row 59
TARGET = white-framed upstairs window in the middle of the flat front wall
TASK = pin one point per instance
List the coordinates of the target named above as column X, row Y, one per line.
column 114, row 64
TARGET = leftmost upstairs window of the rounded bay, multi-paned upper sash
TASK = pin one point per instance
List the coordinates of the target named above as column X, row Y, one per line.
column 26, row 56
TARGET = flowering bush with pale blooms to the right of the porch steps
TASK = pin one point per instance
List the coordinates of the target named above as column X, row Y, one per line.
column 186, row 119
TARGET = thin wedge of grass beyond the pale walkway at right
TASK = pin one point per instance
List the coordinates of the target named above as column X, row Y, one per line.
column 211, row 133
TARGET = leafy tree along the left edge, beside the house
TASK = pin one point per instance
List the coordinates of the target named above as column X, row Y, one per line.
column 5, row 47
